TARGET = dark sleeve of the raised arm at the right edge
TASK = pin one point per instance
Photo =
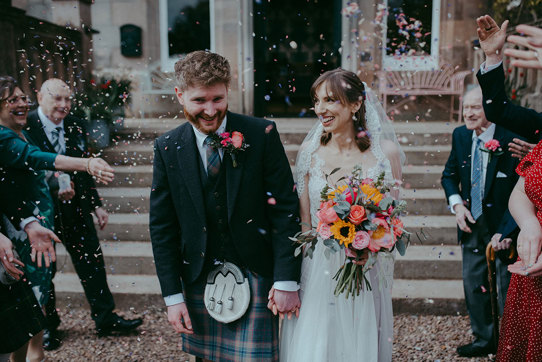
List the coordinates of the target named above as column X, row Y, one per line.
column 499, row 110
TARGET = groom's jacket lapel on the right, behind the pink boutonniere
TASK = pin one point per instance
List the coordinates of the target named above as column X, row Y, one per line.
column 233, row 174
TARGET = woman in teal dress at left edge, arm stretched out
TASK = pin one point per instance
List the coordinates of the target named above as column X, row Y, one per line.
column 20, row 172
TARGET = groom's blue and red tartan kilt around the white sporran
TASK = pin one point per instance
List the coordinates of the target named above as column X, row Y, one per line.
column 253, row 337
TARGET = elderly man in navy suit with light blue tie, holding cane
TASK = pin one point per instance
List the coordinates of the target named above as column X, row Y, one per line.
column 478, row 181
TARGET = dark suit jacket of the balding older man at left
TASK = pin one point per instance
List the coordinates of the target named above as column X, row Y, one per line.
column 86, row 196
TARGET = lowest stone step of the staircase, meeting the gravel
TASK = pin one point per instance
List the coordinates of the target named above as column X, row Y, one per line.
column 430, row 296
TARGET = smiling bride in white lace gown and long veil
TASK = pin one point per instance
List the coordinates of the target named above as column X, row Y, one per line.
column 352, row 130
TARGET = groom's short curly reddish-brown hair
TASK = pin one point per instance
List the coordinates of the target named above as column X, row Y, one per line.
column 202, row 68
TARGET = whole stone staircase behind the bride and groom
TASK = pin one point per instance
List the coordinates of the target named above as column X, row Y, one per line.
column 427, row 278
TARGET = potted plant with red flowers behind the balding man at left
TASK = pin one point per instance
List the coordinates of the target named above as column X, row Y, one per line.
column 102, row 104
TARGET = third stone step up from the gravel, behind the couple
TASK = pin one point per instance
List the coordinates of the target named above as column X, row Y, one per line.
column 426, row 230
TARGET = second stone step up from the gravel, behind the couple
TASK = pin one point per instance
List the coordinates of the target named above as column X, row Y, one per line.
column 136, row 258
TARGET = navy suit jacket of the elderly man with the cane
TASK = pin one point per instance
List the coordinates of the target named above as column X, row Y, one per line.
column 456, row 179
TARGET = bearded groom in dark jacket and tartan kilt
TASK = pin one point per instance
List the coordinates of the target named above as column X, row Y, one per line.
column 205, row 209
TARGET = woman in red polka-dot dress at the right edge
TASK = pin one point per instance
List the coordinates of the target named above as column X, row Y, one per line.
column 521, row 330
